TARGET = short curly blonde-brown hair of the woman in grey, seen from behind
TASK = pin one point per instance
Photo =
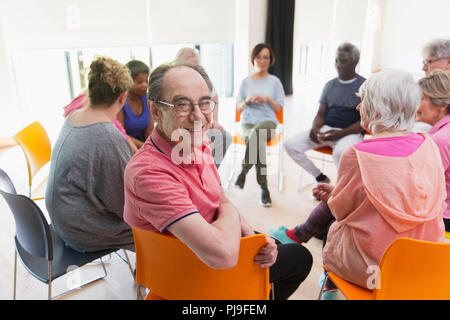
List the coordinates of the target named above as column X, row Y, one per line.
column 108, row 79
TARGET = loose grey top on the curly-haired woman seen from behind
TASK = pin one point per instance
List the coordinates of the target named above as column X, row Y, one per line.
column 85, row 191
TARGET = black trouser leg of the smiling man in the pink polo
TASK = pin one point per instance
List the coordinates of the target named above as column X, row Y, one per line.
column 293, row 265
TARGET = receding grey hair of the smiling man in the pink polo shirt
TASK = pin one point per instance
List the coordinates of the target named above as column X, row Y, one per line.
column 157, row 77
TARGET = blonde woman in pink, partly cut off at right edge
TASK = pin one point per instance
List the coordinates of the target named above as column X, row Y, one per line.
column 434, row 109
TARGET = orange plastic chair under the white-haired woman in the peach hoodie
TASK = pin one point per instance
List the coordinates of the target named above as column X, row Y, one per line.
column 409, row 270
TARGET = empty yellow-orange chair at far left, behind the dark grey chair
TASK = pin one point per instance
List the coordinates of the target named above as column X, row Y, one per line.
column 36, row 146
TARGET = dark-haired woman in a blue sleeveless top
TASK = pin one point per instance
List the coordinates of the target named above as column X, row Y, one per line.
column 135, row 114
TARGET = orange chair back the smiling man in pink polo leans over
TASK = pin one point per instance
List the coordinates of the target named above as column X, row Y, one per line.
column 172, row 271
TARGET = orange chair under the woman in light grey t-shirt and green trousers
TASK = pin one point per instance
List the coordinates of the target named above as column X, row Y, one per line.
column 276, row 140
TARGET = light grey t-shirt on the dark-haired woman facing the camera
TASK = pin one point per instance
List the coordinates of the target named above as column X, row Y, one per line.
column 257, row 113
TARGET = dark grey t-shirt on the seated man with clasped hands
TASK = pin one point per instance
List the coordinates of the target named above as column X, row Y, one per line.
column 341, row 101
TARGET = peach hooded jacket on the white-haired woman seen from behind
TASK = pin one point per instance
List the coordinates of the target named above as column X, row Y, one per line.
column 378, row 199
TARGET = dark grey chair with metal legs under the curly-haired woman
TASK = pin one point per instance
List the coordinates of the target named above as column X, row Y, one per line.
column 42, row 252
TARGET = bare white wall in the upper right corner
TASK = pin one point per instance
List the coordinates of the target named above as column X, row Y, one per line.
column 407, row 25
